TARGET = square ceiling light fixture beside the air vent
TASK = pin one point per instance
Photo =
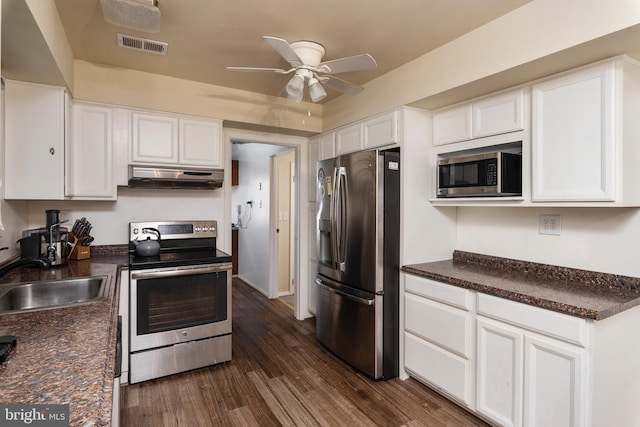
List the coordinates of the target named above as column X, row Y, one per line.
column 141, row 15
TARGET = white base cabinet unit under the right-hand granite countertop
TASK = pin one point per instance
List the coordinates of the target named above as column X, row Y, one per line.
column 513, row 364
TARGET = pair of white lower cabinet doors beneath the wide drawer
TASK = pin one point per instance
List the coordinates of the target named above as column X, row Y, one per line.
column 525, row 379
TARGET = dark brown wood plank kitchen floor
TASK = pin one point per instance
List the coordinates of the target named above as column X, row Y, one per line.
column 280, row 375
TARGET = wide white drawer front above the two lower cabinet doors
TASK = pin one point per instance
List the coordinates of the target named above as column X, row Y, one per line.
column 550, row 323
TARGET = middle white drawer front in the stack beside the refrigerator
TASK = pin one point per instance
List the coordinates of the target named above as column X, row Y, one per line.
column 440, row 324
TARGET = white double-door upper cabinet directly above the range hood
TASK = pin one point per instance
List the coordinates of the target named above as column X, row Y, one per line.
column 177, row 141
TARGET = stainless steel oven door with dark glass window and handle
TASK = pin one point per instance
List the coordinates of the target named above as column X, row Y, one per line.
column 179, row 304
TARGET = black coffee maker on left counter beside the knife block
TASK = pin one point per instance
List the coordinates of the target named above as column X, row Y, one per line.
column 49, row 242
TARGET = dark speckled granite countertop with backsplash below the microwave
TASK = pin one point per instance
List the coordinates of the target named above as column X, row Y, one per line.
column 580, row 293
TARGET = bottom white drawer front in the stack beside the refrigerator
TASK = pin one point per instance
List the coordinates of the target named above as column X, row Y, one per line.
column 438, row 367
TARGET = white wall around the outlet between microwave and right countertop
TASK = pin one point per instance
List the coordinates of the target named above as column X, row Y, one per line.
column 598, row 239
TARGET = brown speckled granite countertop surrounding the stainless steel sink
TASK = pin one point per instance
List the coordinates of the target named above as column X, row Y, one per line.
column 65, row 355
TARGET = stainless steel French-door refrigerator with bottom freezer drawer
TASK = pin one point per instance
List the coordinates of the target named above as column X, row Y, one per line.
column 358, row 229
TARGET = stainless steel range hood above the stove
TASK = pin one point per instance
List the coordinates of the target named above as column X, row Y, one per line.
column 158, row 177
